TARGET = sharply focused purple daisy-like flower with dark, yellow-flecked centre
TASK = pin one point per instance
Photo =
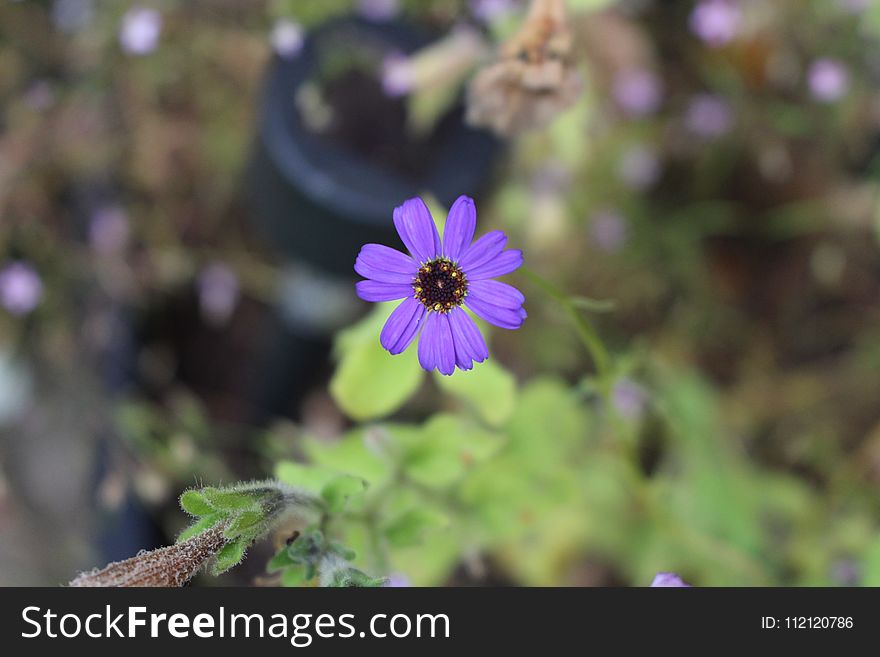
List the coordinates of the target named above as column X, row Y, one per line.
column 436, row 280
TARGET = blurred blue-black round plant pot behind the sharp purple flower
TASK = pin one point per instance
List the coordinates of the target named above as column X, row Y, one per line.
column 318, row 201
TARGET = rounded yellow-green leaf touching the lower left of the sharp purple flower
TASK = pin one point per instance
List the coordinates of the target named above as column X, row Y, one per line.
column 369, row 382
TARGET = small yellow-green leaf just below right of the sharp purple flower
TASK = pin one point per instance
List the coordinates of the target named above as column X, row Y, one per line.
column 488, row 388
